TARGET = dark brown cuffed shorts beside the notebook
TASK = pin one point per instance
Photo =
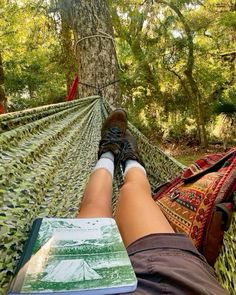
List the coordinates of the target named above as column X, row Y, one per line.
column 170, row 264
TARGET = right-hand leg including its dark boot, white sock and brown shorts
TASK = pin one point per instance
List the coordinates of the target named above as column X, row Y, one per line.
column 157, row 249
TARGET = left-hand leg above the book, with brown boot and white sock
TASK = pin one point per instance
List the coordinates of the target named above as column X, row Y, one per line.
column 98, row 192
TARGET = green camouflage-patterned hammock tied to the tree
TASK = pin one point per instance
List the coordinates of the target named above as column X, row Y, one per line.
column 46, row 157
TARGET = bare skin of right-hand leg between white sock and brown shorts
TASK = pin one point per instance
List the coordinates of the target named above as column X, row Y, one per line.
column 137, row 214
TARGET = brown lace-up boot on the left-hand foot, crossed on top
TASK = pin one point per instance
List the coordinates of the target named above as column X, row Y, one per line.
column 112, row 133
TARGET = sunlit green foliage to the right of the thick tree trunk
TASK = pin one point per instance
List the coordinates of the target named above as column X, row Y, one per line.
column 153, row 50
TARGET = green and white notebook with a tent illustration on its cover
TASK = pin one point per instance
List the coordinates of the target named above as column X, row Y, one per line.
column 74, row 256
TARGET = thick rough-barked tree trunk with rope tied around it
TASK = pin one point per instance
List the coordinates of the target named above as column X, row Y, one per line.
column 95, row 51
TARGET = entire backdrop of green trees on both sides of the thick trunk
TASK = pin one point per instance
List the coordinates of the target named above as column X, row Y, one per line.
column 175, row 60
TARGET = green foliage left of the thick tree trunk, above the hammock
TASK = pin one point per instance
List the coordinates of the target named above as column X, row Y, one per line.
column 31, row 55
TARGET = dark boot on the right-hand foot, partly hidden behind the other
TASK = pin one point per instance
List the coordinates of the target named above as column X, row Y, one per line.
column 129, row 150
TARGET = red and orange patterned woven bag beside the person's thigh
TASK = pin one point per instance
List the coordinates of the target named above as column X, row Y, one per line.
column 188, row 202
